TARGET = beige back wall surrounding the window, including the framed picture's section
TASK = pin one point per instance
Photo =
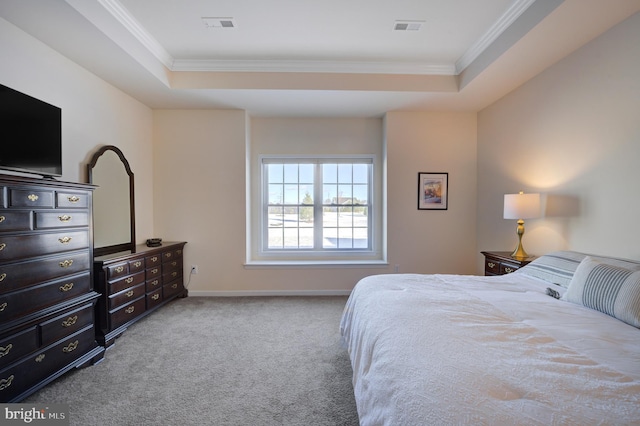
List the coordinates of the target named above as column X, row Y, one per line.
column 199, row 195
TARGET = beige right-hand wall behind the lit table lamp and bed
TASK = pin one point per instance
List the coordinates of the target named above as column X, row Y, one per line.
column 572, row 133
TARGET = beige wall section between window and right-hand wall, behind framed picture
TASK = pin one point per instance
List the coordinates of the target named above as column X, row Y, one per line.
column 431, row 241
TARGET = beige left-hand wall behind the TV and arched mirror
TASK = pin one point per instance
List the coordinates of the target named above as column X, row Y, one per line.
column 94, row 113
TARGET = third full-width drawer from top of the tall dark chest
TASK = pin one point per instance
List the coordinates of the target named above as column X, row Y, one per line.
column 22, row 302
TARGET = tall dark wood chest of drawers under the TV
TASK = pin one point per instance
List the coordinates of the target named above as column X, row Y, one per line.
column 46, row 288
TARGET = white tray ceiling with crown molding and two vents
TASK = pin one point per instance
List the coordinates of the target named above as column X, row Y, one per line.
column 316, row 58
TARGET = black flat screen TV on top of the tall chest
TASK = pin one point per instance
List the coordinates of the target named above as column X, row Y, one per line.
column 30, row 134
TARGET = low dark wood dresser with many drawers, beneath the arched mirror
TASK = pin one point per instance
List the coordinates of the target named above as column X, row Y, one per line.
column 134, row 284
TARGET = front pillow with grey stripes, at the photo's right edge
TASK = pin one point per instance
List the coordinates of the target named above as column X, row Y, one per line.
column 611, row 289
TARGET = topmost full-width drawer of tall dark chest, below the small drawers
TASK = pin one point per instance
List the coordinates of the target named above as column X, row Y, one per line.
column 23, row 246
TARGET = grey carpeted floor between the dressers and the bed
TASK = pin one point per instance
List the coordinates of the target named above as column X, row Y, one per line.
column 219, row 361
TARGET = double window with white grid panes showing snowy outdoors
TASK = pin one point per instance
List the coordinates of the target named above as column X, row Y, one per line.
column 317, row 205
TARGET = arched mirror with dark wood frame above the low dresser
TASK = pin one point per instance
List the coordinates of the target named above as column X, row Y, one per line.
column 113, row 202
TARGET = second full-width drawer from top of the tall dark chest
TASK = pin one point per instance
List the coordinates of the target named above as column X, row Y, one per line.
column 23, row 274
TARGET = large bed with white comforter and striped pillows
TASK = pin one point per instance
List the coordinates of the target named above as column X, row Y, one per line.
column 472, row 350
